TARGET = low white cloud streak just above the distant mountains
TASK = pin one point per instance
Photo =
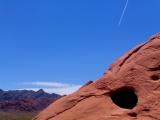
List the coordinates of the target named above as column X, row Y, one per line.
column 52, row 87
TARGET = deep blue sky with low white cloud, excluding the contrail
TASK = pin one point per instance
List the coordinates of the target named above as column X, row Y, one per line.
column 58, row 45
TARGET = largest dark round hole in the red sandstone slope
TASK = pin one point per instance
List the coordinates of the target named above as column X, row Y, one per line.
column 124, row 98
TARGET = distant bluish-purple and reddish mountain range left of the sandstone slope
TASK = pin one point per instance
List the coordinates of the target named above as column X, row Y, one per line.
column 25, row 100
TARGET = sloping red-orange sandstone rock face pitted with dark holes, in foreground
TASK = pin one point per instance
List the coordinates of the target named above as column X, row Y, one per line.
column 128, row 90
